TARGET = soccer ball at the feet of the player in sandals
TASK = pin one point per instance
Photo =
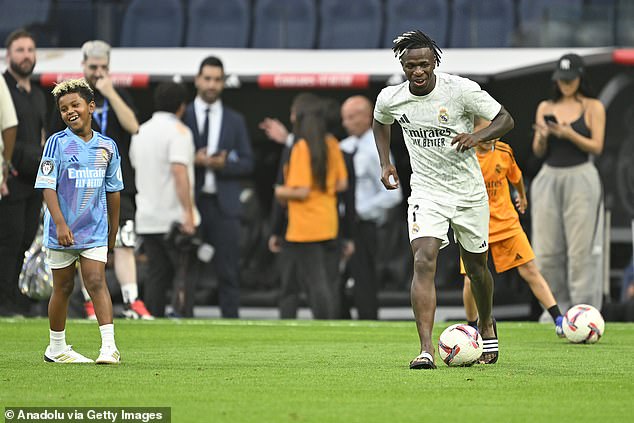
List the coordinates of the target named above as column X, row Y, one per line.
column 460, row 345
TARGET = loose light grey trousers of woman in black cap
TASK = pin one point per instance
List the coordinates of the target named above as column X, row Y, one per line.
column 567, row 235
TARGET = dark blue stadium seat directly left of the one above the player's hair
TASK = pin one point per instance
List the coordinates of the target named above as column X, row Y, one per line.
column 350, row 24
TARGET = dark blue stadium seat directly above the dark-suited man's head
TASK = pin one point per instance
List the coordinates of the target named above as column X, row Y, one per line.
column 218, row 23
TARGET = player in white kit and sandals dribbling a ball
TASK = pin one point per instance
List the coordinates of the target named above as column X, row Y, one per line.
column 436, row 112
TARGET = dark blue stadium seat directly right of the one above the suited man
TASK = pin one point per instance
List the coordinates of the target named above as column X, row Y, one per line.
column 284, row 24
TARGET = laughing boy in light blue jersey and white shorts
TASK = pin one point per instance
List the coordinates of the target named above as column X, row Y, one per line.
column 80, row 176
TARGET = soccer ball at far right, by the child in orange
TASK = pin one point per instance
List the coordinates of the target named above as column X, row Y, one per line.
column 583, row 324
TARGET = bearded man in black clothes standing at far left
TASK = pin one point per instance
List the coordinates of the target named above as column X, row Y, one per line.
column 21, row 203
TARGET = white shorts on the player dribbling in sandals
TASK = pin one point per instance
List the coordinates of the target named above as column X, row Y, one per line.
column 426, row 218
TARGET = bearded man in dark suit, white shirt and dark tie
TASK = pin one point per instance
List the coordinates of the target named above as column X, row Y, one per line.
column 223, row 156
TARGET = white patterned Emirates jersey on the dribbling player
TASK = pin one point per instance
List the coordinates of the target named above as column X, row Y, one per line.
column 429, row 123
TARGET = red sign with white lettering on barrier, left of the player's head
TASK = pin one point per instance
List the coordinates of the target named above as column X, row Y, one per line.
column 314, row 80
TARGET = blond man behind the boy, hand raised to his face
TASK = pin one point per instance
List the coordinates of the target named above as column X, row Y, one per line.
column 114, row 117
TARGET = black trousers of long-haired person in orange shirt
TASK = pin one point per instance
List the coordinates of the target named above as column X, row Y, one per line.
column 311, row 267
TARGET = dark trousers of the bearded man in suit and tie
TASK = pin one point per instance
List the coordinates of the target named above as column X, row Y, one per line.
column 223, row 233
